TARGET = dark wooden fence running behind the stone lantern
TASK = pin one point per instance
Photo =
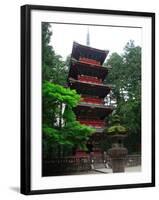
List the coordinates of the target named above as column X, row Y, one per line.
column 73, row 164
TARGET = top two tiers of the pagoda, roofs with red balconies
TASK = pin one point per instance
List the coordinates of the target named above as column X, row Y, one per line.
column 86, row 64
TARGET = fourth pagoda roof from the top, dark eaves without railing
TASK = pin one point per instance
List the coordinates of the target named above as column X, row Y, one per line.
column 85, row 110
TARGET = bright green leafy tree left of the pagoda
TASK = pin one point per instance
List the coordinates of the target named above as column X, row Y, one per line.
column 61, row 131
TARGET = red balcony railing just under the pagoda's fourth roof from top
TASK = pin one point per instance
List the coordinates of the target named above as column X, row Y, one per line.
column 93, row 123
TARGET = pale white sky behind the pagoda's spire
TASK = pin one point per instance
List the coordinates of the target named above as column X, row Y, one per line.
column 113, row 39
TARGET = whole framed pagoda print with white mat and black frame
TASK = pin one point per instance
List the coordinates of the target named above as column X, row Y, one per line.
column 87, row 99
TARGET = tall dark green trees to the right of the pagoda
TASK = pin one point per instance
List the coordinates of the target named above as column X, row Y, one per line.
column 126, row 76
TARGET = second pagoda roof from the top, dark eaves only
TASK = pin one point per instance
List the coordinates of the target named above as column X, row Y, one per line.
column 78, row 68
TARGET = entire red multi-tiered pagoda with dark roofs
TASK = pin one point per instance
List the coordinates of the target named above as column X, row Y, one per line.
column 86, row 76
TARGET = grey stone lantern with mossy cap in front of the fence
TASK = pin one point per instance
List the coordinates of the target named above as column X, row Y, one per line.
column 117, row 152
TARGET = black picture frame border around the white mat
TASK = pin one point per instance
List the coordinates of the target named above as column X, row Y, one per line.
column 26, row 97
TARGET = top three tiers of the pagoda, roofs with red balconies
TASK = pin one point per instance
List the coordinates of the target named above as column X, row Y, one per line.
column 87, row 74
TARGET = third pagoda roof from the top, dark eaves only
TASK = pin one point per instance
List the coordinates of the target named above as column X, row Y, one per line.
column 91, row 89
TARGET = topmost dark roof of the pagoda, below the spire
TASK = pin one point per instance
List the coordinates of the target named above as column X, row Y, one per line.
column 79, row 50
